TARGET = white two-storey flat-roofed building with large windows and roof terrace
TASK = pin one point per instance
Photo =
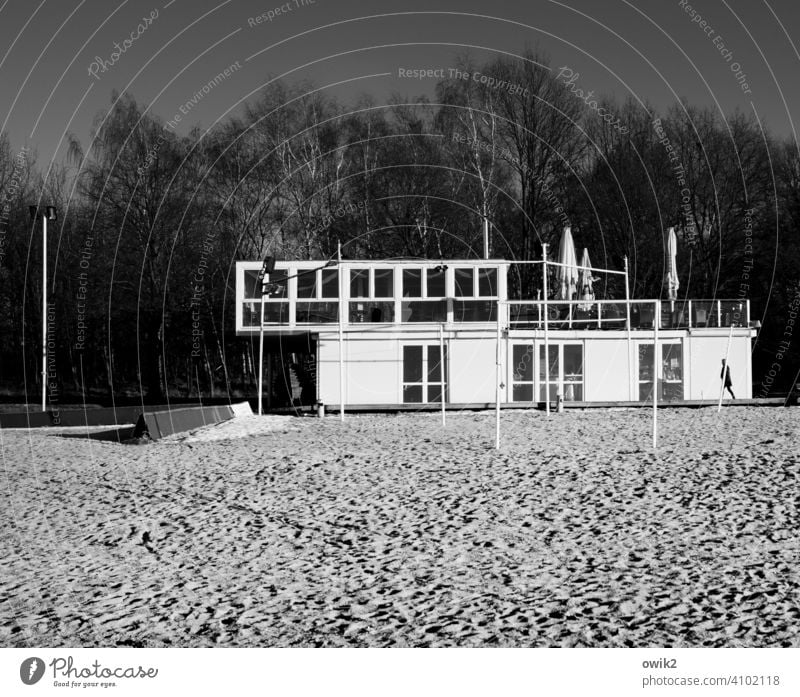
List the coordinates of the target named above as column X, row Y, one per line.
column 393, row 334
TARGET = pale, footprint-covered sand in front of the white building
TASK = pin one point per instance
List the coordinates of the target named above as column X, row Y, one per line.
column 394, row 531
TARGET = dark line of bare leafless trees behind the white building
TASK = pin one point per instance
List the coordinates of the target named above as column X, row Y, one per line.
column 150, row 223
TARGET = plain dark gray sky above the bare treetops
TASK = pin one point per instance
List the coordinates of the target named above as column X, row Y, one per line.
column 648, row 48
